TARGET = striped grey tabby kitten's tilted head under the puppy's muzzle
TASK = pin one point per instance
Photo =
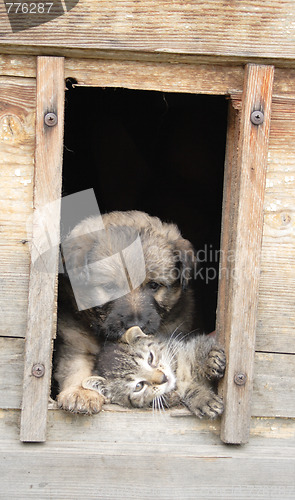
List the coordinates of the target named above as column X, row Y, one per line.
column 134, row 372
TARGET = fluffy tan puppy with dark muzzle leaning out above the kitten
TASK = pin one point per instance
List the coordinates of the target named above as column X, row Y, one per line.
column 136, row 271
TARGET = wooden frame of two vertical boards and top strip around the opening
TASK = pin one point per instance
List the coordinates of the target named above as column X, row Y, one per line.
column 242, row 220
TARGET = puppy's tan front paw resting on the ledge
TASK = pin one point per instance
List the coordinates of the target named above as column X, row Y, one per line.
column 79, row 400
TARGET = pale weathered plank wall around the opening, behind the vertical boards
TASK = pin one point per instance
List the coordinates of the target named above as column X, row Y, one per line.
column 122, row 453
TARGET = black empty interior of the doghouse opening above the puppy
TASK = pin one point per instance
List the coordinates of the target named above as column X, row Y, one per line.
column 162, row 153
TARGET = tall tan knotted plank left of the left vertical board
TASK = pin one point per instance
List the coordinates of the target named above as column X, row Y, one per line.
column 17, row 142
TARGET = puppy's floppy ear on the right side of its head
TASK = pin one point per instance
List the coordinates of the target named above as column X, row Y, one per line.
column 186, row 259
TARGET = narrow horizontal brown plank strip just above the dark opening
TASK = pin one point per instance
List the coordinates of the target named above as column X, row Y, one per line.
column 141, row 73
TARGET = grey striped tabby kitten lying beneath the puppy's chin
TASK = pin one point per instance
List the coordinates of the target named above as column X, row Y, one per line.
column 143, row 371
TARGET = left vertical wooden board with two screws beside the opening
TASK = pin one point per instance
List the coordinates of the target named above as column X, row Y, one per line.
column 44, row 248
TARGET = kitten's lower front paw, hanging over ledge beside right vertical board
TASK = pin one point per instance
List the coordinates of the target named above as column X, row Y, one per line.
column 203, row 402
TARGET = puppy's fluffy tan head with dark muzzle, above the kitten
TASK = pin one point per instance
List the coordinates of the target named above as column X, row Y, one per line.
column 124, row 276
